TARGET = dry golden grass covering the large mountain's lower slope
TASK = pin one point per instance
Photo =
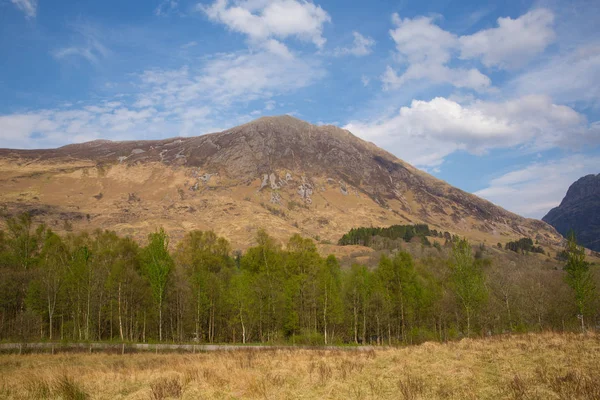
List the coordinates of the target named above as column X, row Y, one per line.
column 233, row 209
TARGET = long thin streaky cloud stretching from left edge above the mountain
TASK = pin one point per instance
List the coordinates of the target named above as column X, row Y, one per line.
column 180, row 102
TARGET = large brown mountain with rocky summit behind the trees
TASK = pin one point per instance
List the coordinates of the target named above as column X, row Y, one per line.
column 279, row 173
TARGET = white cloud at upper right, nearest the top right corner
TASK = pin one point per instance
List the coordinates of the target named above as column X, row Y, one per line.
column 513, row 43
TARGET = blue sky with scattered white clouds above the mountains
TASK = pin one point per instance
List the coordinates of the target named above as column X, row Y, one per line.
column 500, row 100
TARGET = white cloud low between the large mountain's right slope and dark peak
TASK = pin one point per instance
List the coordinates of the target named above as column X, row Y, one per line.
column 535, row 189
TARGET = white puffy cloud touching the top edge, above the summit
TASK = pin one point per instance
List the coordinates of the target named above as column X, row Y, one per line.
column 264, row 20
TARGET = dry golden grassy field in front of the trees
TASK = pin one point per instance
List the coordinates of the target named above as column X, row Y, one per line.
column 541, row 366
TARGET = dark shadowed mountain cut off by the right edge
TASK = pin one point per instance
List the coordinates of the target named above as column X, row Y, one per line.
column 580, row 211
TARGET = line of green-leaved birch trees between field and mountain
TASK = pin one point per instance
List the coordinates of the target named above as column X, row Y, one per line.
column 100, row 287
